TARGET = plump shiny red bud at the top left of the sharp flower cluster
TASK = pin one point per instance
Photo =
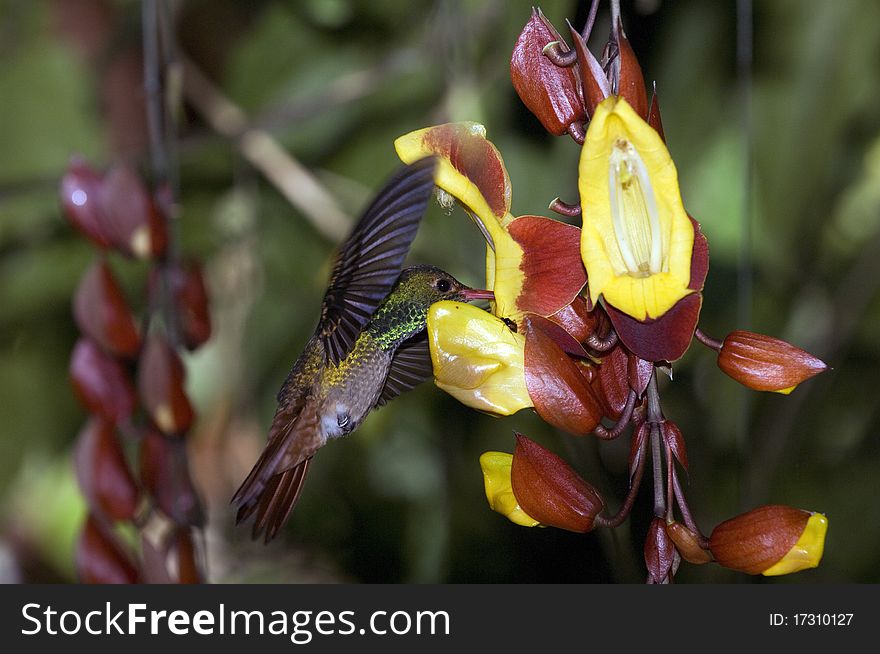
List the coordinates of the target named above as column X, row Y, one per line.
column 549, row 91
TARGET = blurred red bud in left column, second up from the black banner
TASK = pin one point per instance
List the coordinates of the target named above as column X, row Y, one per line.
column 103, row 473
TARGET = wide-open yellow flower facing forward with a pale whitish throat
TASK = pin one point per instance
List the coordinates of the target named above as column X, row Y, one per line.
column 637, row 239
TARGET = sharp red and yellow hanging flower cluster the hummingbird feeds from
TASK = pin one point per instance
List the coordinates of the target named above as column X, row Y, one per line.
column 583, row 317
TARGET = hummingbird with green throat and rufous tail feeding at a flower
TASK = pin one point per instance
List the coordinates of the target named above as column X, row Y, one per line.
column 370, row 346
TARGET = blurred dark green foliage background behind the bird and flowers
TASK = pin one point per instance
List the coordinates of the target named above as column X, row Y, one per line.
column 335, row 82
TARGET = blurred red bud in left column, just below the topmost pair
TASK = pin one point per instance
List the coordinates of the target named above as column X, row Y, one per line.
column 101, row 312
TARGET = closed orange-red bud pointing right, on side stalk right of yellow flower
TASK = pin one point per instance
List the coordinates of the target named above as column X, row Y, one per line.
column 764, row 363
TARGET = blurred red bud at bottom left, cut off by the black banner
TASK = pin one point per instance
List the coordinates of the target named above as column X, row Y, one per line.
column 100, row 557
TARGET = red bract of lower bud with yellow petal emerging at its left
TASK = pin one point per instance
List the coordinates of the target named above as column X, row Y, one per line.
column 550, row 491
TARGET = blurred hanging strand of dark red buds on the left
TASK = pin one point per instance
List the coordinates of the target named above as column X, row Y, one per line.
column 129, row 377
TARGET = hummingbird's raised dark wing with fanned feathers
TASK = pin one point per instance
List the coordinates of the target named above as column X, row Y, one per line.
column 370, row 260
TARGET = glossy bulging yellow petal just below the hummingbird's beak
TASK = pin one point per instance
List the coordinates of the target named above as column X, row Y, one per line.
column 477, row 358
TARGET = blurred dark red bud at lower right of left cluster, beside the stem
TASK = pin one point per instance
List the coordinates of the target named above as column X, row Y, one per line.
column 165, row 476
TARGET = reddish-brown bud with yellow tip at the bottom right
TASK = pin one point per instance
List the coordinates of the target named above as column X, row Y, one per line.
column 770, row 540
